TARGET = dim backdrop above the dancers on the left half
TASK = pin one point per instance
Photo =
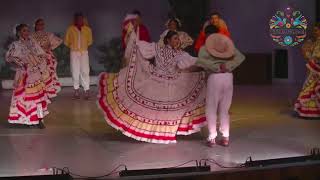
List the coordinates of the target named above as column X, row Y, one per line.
column 105, row 17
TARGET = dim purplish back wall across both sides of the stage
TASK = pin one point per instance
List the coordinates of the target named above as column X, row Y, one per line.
column 247, row 20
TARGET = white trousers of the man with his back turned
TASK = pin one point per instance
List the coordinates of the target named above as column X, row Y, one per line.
column 218, row 102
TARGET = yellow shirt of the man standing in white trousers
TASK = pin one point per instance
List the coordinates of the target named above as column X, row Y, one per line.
column 78, row 40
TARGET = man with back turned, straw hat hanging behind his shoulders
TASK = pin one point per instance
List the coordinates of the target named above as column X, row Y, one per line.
column 219, row 57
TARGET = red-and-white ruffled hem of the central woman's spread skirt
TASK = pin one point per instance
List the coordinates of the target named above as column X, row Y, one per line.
column 142, row 130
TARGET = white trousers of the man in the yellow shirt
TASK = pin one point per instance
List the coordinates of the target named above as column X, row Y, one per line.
column 80, row 69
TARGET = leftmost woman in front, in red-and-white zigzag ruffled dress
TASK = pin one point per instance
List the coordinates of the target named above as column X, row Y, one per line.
column 29, row 100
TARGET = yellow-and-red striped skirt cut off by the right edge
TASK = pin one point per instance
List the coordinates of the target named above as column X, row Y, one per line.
column 308, row 102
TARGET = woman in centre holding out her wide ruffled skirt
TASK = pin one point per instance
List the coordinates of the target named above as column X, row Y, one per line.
column 153, row 102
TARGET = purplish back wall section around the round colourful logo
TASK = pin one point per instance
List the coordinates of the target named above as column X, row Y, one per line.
column 248, row 22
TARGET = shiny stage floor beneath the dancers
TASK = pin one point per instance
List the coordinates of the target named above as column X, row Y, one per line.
column 77, row 137
